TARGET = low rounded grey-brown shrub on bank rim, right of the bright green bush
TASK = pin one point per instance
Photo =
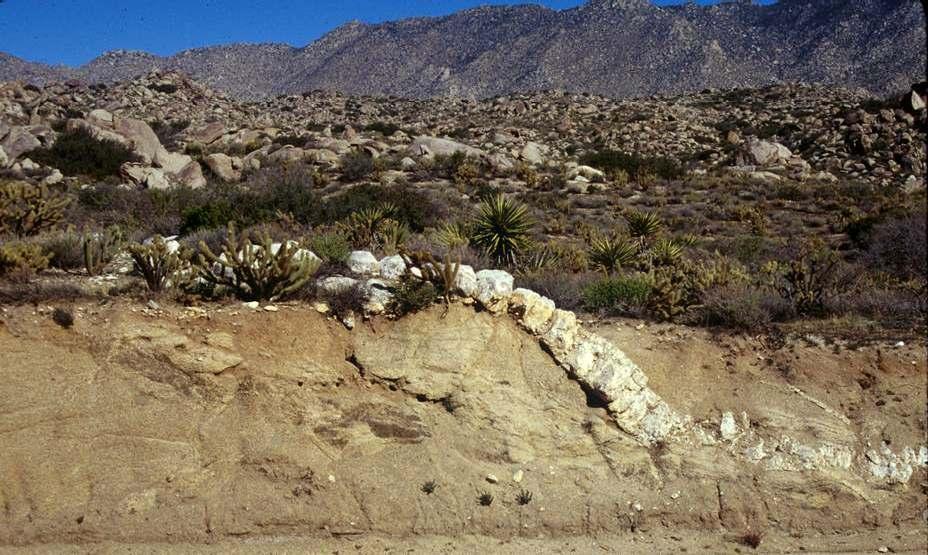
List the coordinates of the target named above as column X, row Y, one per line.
column 744, row 307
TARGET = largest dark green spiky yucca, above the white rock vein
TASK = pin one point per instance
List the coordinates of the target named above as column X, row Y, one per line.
column 502, row 228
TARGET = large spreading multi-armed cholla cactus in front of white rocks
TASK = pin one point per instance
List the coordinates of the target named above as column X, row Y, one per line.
column 256, row 271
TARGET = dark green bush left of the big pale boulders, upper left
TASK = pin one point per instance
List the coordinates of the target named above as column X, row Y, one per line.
column 78, row 152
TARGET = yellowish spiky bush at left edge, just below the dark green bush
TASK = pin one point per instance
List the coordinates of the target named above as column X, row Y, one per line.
column 27, row 209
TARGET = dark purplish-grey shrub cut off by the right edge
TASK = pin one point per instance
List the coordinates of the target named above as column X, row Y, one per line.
column 897, row 246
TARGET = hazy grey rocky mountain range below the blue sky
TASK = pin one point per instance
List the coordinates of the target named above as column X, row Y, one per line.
column 611, row 47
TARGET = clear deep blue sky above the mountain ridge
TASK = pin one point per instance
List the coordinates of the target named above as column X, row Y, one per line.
column 75, row 31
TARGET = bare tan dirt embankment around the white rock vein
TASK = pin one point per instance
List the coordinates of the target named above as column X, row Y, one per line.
column 234, row 427
